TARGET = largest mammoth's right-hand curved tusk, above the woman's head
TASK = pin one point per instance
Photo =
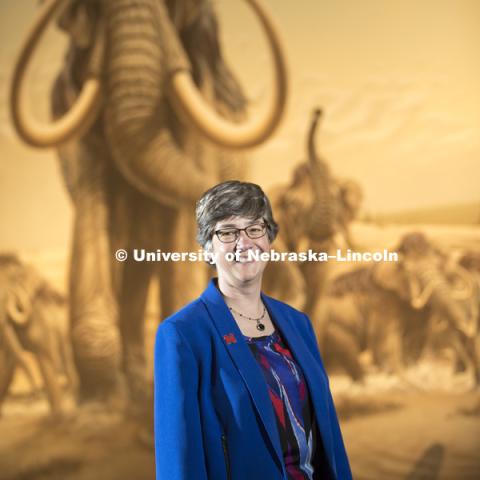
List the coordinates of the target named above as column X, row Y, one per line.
column 214, row 127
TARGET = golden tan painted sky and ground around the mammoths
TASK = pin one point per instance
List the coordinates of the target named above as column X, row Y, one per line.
column 399, row 84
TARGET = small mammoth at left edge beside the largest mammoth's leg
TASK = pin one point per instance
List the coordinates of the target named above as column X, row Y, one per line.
column 33, row 318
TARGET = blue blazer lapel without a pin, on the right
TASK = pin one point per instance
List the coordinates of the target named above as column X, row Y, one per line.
column 315, row 378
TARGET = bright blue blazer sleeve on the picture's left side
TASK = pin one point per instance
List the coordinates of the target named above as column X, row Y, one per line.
column 179, row 452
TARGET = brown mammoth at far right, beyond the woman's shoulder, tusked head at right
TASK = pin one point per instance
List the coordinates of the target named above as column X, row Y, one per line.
column 385, row 308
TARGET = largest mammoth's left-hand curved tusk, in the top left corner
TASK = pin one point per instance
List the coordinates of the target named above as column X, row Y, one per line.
column 85, row 109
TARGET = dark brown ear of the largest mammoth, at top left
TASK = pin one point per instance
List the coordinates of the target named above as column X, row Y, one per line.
column 78, row 19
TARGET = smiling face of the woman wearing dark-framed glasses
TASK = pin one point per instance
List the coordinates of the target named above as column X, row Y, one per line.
column 243, row 271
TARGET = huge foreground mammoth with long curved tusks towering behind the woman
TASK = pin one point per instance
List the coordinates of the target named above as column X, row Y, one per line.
column 148, row 116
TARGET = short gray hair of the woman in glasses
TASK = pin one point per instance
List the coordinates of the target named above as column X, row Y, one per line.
column 232, row 198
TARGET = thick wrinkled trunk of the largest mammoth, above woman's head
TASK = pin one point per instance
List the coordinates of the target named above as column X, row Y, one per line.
column 144, row 50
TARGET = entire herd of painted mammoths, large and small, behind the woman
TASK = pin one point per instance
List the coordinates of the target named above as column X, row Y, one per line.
column 147, row 116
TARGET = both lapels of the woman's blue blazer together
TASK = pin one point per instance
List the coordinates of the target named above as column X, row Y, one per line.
column 251, row 373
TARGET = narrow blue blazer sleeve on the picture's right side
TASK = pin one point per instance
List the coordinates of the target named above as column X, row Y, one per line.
column 341, row 459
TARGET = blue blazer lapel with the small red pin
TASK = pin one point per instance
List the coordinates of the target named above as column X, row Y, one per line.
column 246, row 364
